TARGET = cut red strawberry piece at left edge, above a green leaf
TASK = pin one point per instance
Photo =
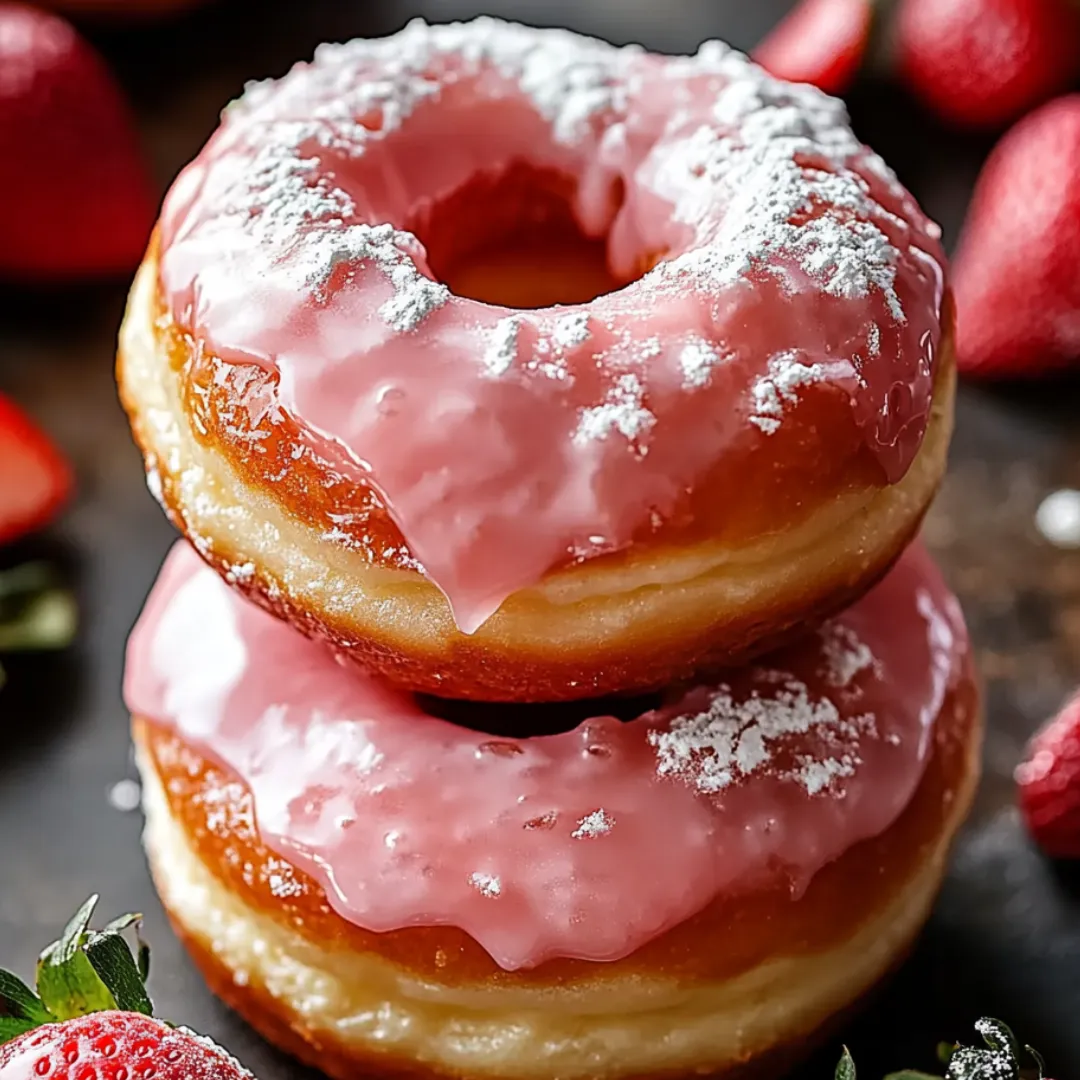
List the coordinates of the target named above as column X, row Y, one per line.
column 35, row 480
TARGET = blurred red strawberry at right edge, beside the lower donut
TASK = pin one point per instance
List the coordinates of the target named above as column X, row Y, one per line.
column 1049, row 782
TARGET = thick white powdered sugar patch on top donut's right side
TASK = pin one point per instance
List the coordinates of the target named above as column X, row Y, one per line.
column 784, row 164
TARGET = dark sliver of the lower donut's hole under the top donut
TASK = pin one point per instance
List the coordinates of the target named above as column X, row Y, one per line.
column 512, row 721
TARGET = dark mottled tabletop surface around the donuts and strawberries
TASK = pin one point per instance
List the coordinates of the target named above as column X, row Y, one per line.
column 1006, row 936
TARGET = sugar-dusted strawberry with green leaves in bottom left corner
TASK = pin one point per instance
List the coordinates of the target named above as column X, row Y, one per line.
column 92, row 1019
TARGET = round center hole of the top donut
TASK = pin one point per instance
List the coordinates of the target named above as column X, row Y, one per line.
column 512, row 239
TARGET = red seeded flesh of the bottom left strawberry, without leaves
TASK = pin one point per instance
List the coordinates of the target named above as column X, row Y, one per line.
column 116, row 1046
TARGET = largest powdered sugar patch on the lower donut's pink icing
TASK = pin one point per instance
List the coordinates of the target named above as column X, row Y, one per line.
column 734, row 739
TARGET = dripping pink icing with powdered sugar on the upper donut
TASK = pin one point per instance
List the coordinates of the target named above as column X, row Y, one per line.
column 789, row 264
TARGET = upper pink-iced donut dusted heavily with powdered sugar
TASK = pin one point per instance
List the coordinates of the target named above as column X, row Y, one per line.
column 522, row 368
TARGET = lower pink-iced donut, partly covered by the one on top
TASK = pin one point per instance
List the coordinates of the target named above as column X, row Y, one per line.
column 387, row 886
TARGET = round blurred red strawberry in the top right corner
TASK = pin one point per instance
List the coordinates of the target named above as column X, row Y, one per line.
column 984, row 63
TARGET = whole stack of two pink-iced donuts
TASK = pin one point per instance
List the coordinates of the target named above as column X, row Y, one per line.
column 557, row 693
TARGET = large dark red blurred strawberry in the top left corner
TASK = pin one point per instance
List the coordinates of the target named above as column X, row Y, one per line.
column 75, row 195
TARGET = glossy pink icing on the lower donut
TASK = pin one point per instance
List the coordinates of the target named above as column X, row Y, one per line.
column 587, row 844
